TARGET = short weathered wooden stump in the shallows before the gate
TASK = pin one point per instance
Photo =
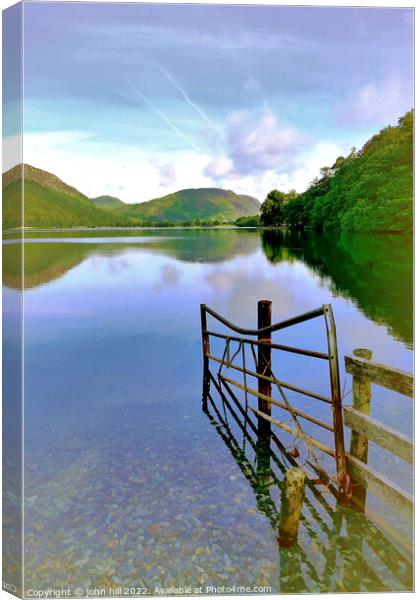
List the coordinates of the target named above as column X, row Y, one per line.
column 292, row 496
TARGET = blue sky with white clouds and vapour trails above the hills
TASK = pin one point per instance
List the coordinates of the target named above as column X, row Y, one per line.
column 140, row 100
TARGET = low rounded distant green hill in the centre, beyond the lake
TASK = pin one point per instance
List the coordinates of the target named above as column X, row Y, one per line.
column 202, row 204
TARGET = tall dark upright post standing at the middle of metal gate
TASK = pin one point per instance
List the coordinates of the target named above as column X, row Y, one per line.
column 264, row 363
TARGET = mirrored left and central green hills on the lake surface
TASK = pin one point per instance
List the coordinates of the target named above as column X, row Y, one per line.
column 48, row 260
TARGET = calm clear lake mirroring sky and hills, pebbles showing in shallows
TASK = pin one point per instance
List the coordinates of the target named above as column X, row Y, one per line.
column 129, row 479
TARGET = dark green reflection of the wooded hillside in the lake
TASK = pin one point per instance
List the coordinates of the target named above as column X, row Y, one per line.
column 374, row 270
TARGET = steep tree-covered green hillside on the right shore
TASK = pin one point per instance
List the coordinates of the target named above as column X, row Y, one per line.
column 369, row 190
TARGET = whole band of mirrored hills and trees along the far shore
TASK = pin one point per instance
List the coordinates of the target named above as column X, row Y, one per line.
column 376, row 271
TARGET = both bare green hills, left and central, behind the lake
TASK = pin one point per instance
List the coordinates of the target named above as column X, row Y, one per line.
column 51, row 203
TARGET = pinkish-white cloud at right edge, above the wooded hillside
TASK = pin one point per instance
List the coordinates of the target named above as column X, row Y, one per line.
column 377, row 103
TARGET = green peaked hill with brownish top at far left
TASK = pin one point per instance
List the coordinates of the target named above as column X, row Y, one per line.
column 49, row 202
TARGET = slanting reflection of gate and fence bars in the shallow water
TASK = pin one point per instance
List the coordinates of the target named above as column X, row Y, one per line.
column 338, row 550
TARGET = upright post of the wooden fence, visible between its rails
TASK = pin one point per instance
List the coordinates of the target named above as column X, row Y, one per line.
column 359, row 443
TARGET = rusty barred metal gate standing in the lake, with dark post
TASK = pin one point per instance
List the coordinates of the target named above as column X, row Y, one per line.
column 260, row 346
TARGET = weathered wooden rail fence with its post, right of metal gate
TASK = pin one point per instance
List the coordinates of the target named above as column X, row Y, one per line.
column 364, row 428
